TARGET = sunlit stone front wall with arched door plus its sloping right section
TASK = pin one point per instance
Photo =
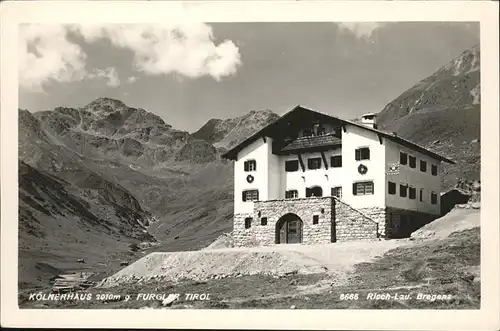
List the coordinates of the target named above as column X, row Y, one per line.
column 337, row 221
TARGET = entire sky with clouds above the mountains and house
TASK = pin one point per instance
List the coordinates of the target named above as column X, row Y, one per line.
column 190, row 73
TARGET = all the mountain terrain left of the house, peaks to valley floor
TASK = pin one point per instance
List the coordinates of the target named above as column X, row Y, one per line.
column 100, row 173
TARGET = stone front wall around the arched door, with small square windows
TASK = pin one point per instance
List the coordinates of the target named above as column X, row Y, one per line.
column 273, row 210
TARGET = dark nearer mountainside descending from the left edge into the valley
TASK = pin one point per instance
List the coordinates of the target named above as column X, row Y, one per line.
column 67, row 210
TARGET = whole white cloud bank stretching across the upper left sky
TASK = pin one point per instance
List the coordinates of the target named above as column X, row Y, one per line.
column 46, row 54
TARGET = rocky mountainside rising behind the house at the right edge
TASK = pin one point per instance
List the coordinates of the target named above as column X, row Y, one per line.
column 442, row 113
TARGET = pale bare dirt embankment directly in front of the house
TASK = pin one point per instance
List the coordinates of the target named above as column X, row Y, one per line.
column 336, row 259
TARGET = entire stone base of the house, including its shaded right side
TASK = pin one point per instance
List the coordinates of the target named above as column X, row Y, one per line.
column 337, row 221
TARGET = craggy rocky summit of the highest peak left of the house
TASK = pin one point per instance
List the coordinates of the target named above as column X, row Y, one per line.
column 107, row 127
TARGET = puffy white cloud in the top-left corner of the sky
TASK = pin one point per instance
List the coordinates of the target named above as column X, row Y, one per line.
column 45, row 54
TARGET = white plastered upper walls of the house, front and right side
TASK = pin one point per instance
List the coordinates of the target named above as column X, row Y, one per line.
column 272, row 181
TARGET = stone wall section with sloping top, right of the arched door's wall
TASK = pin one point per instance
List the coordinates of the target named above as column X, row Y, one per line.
column 351, row 224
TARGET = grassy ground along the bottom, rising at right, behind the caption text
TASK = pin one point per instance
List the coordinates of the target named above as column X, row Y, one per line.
column 442, row 266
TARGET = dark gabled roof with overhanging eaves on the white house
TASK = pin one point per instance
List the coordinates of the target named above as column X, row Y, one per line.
column 267, row 131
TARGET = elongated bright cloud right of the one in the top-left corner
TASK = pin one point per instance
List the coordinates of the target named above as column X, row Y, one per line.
column 187, row 49
